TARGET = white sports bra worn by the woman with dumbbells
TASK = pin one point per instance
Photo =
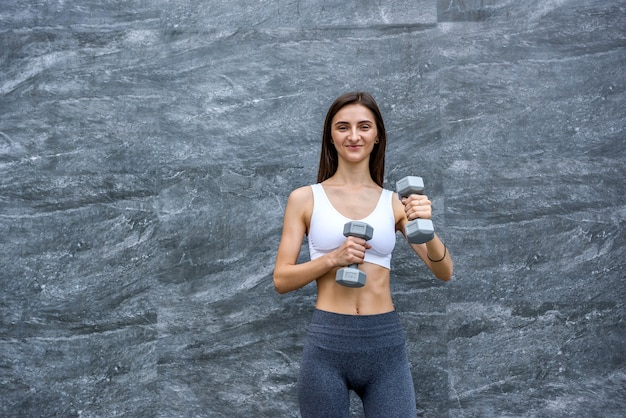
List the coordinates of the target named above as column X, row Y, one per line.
column 326, row 229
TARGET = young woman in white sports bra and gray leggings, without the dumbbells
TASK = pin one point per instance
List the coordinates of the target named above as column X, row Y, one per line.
column 355, row 340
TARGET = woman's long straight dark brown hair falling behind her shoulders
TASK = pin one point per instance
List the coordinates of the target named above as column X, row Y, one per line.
column 328, row 158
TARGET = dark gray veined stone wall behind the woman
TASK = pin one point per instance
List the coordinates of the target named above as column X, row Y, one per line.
column 147, row 149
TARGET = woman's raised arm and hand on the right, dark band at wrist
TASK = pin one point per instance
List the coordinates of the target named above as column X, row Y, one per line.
column 434, row 253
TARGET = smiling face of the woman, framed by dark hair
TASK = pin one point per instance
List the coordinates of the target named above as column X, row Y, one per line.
column 354, row 132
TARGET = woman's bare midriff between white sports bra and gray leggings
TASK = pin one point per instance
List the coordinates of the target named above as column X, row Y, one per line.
column 371, row 299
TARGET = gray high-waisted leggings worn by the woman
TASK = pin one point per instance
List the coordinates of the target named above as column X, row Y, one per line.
column 365, row 354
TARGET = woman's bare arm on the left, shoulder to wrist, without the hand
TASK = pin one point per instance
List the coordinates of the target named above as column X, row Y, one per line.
column 288, row 275
